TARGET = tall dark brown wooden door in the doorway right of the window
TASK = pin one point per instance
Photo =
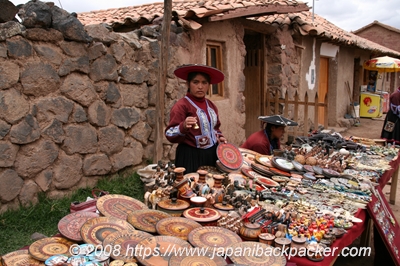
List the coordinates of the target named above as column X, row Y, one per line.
column 253, row 73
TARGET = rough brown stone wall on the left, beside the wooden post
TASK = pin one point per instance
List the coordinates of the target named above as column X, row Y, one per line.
column 75, row 104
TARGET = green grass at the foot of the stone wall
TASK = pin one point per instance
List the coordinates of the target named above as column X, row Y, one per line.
column 17, row 226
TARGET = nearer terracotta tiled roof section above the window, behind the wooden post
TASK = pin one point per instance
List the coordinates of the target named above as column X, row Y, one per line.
column 135, row 16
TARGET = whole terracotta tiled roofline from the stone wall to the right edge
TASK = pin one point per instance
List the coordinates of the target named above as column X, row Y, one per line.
column 277, row 13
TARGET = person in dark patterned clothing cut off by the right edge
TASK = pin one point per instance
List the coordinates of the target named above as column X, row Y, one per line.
column 391, row 126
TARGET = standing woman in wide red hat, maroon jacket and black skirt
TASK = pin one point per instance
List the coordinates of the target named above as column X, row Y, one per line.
column 194, row 121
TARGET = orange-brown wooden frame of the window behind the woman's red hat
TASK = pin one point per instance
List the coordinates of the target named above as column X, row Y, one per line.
column 216, row 62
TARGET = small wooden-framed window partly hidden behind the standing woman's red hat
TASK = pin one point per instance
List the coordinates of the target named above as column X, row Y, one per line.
column 214, row 59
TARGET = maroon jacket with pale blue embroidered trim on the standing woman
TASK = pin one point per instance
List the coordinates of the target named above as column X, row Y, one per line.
column 207, row 118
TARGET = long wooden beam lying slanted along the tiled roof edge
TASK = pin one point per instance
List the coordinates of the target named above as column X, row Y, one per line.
column 256, row 11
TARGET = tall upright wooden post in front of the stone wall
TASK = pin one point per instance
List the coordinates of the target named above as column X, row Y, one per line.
column 162, row 80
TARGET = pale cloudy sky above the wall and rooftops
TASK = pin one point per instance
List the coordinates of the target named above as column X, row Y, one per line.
column 349, row 15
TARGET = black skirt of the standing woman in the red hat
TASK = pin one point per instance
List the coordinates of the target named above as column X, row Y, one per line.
column 192, row 158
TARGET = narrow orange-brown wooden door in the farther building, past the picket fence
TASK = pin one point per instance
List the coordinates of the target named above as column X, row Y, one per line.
column 322, row 86
